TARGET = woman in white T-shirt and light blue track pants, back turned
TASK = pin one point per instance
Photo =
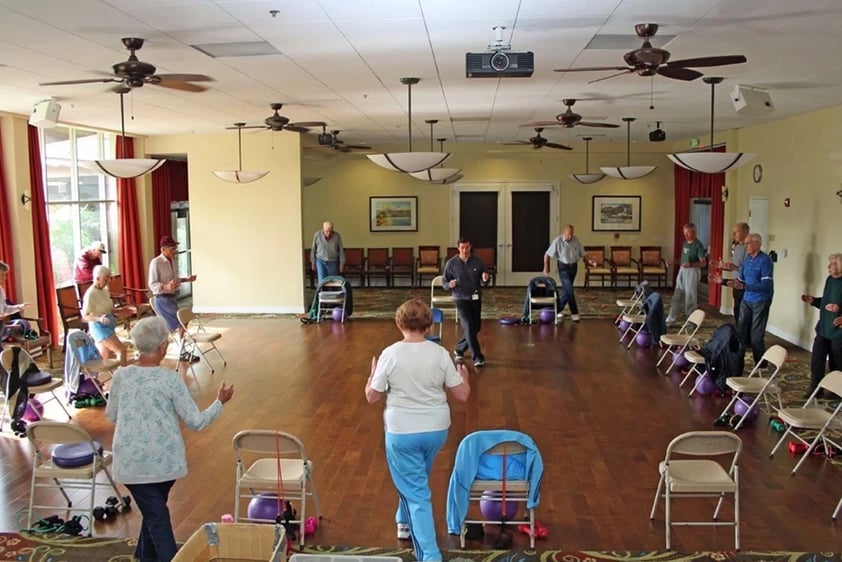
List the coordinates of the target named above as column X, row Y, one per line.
column 412, row 374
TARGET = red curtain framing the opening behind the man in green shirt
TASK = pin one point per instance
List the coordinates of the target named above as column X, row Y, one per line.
column 689, row 185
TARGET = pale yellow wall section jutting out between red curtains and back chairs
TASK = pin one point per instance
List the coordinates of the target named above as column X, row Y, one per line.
column 245, row 238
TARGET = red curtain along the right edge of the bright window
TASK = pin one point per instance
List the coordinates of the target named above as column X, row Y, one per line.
column 131, row 254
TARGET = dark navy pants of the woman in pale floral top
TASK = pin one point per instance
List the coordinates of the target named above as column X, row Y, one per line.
column 156, row 541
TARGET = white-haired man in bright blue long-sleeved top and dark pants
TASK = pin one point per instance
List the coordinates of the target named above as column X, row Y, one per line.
column 755, row 278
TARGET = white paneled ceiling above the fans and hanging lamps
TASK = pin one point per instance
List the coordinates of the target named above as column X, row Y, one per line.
column 342, row 61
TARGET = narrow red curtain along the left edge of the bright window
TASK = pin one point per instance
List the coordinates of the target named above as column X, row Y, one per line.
column 45, row 283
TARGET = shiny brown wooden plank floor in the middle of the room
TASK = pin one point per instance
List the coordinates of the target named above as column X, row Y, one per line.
column 601, row 416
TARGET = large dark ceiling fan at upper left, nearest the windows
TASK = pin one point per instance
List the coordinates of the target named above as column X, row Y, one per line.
column 134, row 73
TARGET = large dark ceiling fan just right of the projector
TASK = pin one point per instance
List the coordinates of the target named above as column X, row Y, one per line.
column 649, row 60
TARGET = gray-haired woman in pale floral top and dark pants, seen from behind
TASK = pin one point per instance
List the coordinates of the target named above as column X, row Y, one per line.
column 146, row 403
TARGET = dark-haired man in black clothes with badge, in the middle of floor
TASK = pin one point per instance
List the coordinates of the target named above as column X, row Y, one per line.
column 464, row 275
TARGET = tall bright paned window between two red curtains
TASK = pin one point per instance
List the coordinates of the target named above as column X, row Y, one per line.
column 81, row 203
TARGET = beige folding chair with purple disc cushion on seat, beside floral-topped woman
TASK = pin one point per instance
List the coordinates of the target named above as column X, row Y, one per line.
column 48, row 475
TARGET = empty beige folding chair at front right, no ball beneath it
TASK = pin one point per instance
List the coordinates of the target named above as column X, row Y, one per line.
column 697, row 477
